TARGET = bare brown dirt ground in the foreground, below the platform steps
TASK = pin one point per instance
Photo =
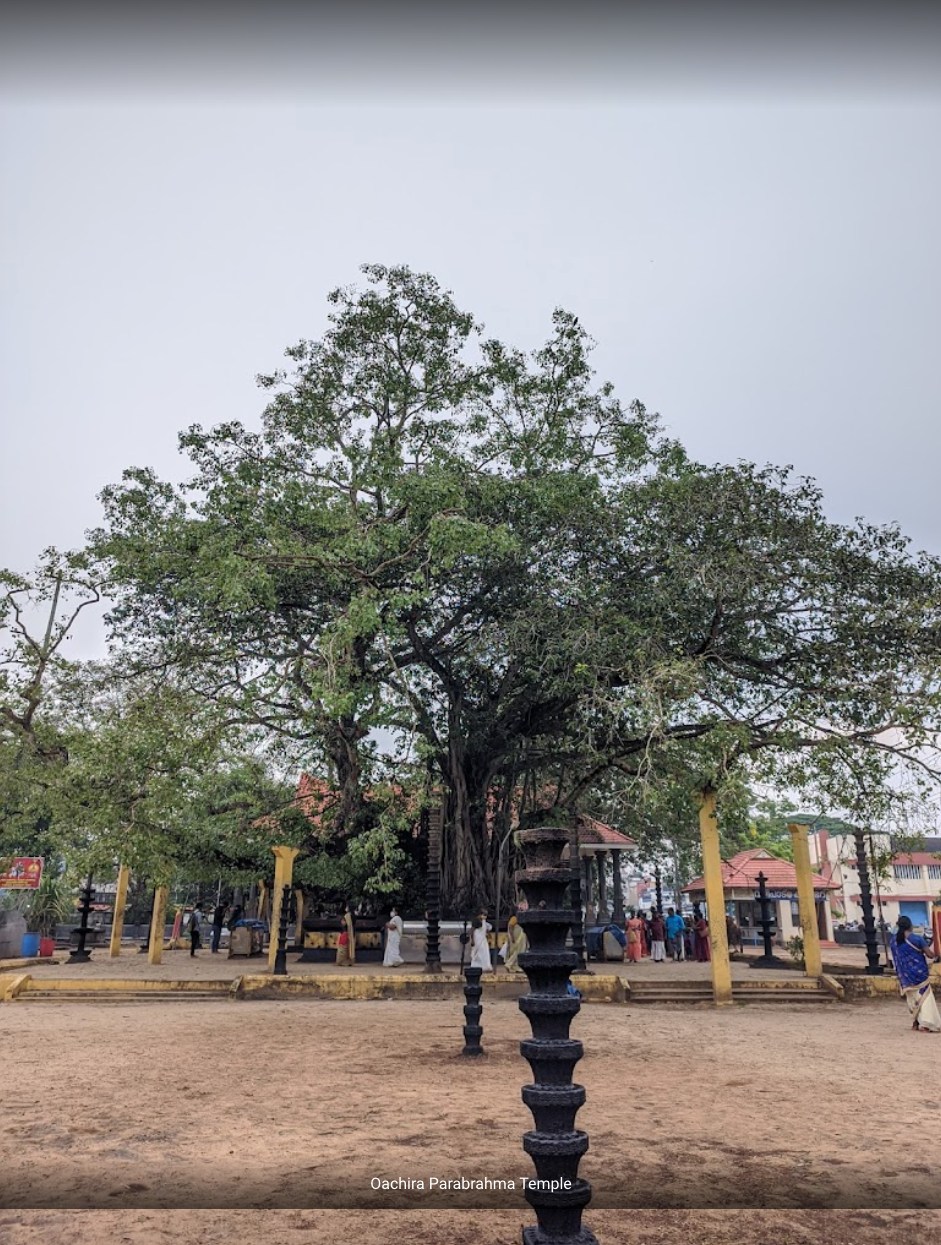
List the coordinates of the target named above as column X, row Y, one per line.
column 231, row 1107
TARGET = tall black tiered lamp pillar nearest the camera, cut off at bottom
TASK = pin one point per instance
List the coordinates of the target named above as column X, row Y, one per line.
column 556, row 1146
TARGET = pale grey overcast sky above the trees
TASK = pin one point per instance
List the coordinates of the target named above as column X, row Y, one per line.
column 751, row 236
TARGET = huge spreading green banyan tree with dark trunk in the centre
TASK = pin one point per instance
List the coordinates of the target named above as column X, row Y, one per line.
column 441, row 550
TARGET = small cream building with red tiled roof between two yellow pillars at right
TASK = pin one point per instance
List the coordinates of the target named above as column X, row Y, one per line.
column 740, row 886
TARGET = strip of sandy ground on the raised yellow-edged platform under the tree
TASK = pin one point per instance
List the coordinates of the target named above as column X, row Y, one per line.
column 181, row 965
